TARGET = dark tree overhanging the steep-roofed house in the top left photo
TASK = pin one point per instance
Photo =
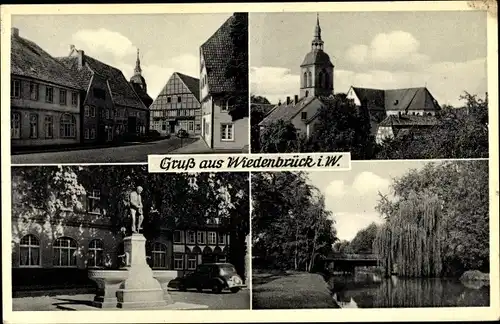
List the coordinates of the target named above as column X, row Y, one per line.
column 237, row 65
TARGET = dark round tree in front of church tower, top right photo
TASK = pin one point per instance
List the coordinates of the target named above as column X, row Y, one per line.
column 342, row 127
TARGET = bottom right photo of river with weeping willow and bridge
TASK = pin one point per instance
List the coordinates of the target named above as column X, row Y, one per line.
column 385, row 234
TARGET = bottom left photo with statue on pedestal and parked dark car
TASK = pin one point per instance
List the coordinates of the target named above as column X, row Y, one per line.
column 116, row 236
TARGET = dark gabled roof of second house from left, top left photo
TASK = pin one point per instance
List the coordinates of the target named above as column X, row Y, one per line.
column 121, row 91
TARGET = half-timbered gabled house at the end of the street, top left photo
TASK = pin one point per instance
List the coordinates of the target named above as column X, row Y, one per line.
column 177, row 106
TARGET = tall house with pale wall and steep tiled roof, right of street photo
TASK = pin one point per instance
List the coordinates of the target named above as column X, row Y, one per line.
column 218, row 95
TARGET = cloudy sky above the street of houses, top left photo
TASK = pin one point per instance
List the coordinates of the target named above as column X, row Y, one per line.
column 168, row 42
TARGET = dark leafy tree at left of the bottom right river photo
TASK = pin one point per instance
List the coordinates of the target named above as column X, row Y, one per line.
column 292, row 229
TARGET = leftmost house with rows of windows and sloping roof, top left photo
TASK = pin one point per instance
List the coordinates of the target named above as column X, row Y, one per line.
column 45, row 98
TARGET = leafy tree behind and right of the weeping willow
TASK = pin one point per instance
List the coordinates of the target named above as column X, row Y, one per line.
column 462, row 190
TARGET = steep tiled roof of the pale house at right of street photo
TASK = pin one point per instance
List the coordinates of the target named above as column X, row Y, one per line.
column 216, row 51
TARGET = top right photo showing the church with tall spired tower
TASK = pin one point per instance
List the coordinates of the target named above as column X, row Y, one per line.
column 381, row 85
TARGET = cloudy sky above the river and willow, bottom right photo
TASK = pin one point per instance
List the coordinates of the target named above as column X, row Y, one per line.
column 353, row 195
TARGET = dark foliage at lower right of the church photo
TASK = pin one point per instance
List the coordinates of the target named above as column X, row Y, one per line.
column 460, row 133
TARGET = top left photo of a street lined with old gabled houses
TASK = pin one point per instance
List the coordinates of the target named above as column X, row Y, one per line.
column 117, row 88
